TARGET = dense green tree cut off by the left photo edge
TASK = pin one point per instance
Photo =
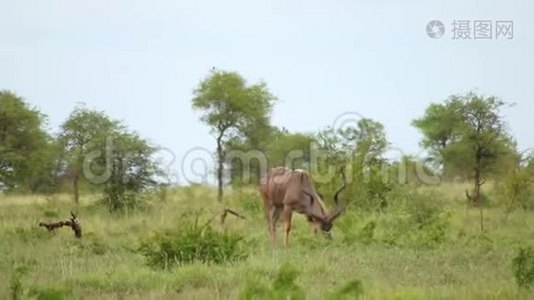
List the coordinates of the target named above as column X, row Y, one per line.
column 27, row 153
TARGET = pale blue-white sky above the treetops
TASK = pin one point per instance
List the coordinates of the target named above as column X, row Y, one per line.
column 140, row 60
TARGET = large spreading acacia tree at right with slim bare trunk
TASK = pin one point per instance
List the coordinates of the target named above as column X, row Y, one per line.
column 480, row 138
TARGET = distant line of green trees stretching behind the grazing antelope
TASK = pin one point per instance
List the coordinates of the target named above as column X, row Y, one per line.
column 465, row 136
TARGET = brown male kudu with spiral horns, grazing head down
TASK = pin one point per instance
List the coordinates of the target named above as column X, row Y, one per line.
column 284, row 190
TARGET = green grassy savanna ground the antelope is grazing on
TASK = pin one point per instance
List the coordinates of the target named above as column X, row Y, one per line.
column 403, row 252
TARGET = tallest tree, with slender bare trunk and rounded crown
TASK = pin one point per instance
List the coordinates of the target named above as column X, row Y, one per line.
column 230, row 106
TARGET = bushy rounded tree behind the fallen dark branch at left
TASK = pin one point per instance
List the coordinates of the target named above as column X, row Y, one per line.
column 109, row 156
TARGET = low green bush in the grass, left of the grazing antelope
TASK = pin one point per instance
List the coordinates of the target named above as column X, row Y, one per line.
column 193, row 243
